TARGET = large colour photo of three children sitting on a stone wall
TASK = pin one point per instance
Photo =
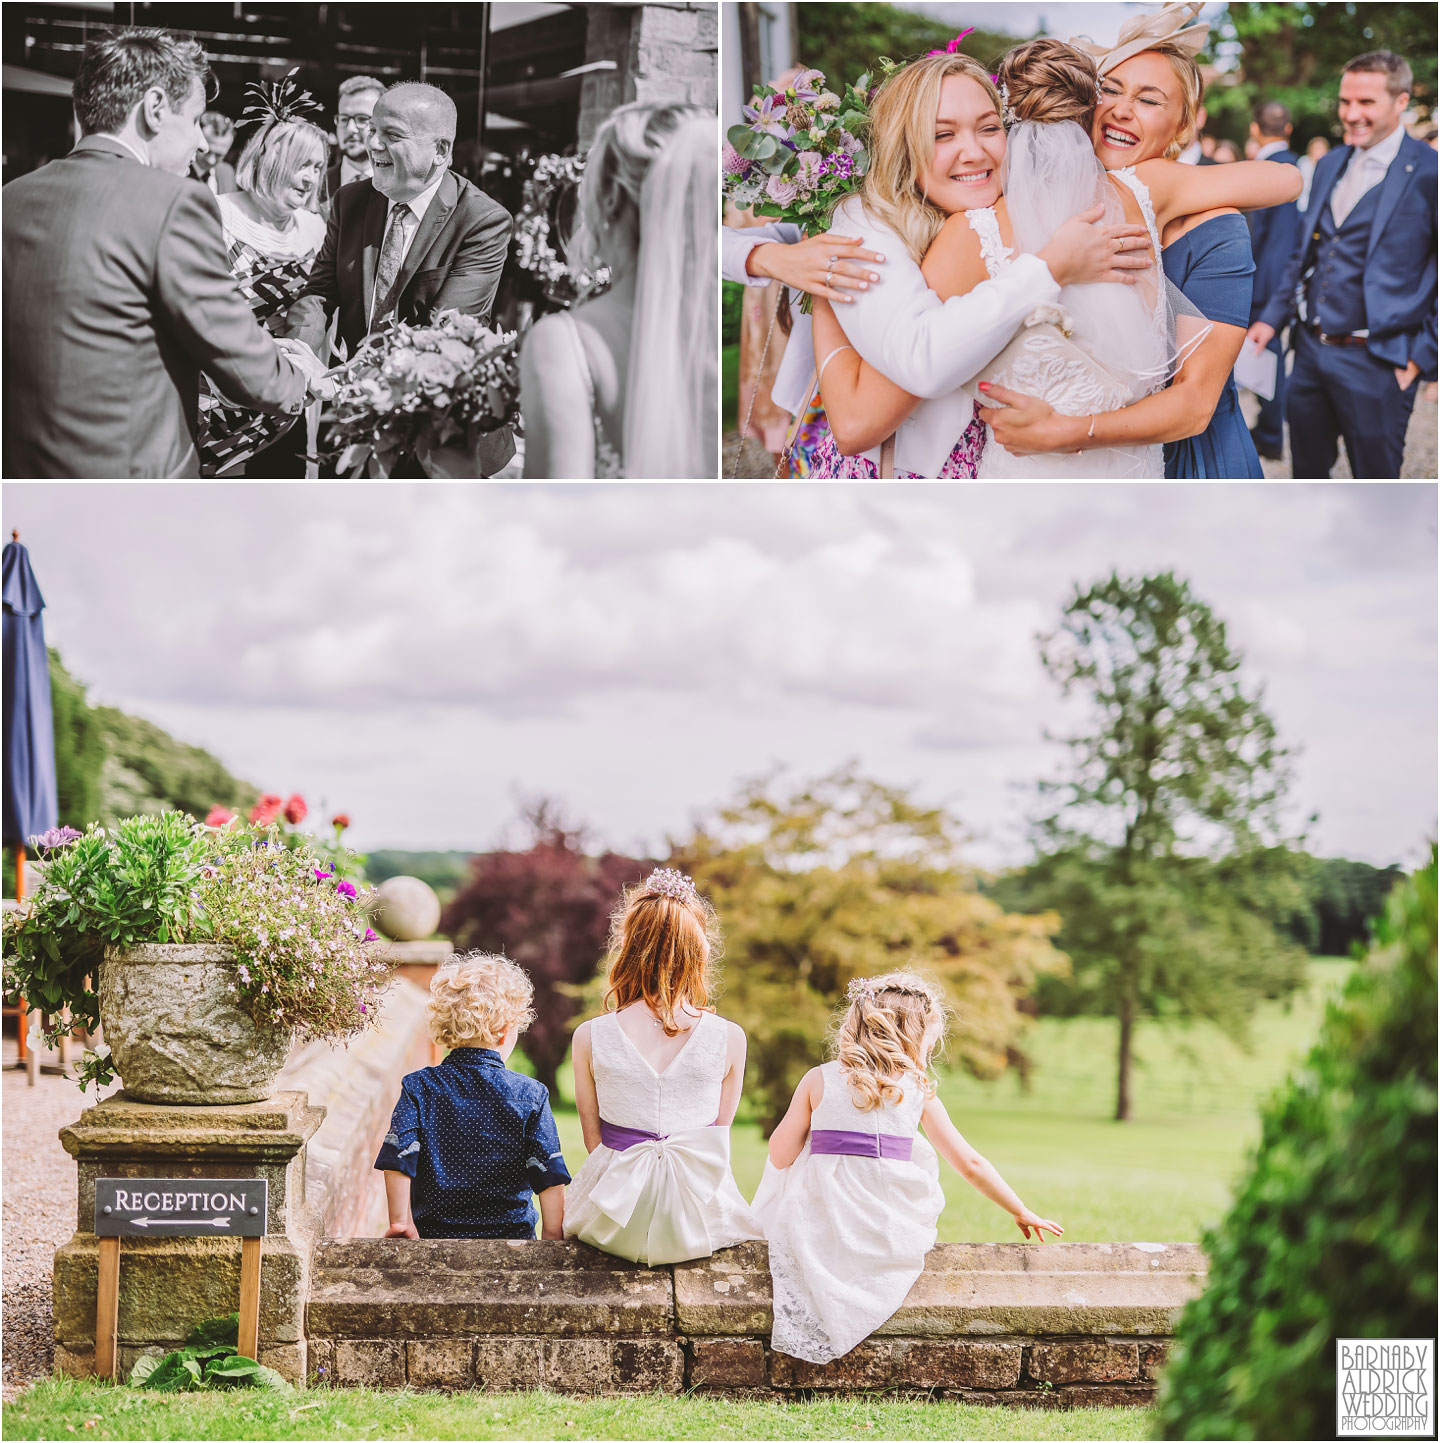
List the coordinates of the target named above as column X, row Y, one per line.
column 718, row 962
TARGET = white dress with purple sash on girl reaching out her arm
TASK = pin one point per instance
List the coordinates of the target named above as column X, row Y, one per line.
column 848, row 1234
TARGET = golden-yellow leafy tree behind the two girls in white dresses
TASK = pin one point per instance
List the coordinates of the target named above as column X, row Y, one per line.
column 843, row 880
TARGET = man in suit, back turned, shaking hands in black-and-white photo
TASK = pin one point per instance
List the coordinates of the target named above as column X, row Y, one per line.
column 118, row 292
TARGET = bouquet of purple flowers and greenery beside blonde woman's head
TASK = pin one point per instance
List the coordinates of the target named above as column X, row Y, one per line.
column 802, row 151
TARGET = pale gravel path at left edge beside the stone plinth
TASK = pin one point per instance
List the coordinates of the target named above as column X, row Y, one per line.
column 38, row 1214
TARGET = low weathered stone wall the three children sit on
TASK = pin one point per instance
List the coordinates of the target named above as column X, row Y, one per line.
column 1031, row 1325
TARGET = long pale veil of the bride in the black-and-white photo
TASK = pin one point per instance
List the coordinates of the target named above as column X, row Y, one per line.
column 672, row 411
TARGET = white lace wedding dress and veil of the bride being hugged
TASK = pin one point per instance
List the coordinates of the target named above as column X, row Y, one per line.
column 1105, row 346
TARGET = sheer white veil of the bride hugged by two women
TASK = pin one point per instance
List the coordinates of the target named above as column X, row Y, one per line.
column 1141, row 334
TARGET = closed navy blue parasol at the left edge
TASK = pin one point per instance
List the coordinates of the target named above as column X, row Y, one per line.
column 30, row 732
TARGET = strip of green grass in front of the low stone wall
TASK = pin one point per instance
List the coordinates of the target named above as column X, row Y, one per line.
column 95, row 1411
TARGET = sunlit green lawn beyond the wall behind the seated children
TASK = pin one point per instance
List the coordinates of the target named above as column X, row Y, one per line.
column 1161, row 1178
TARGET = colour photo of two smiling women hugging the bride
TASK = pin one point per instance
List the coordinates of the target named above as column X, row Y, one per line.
column 1182, row 242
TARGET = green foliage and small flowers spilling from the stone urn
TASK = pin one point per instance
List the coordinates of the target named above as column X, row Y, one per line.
column 299, row 931
